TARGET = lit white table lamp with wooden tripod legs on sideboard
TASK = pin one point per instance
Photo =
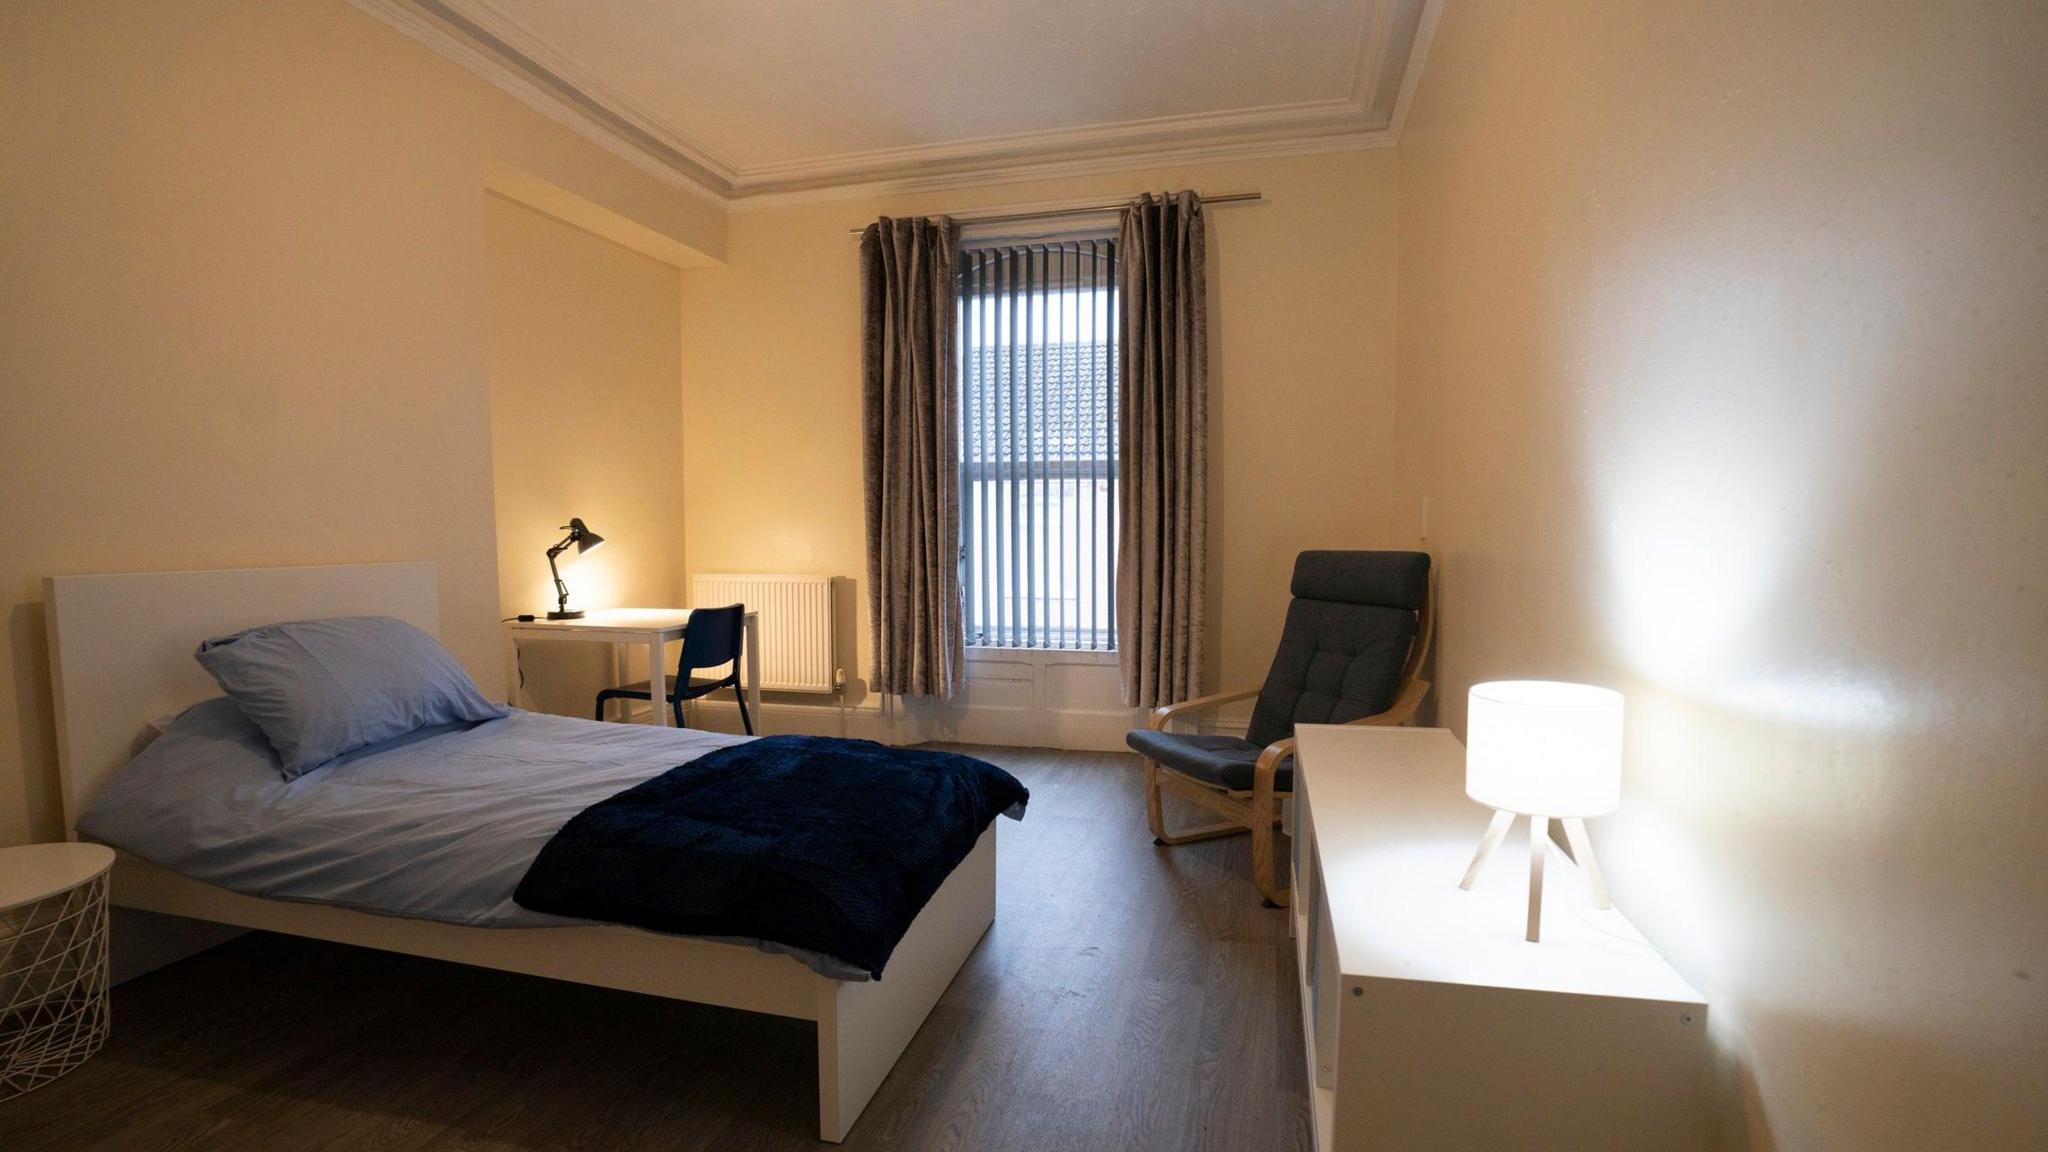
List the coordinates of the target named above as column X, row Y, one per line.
column 1547, row 751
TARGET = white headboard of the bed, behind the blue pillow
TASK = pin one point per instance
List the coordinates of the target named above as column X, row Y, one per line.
column 122, row 645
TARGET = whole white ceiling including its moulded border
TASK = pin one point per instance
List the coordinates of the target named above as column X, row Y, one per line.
column 763, row 97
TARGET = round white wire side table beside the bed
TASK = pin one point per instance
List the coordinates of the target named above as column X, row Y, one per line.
column 52, row 962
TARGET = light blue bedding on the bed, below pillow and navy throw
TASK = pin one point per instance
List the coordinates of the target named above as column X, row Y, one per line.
column 437, row 827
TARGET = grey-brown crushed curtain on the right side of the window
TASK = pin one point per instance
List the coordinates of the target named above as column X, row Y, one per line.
column 1162, row 450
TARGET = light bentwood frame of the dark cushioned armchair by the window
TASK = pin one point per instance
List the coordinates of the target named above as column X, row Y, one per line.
column 1258, row 811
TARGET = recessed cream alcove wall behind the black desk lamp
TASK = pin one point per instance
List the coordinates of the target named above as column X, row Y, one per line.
column 587, row 421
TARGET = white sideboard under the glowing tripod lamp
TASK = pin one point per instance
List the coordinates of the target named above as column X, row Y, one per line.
column 1431, row 1022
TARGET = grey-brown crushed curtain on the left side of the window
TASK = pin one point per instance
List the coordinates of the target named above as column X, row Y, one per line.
column 910, row 434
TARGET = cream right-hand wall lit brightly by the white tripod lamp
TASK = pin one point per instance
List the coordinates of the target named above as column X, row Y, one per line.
column 1723, row 366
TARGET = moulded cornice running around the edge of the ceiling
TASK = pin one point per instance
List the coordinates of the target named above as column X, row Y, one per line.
column 1394, row 40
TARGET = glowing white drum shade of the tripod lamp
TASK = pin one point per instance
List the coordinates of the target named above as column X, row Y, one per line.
column 1545, row 749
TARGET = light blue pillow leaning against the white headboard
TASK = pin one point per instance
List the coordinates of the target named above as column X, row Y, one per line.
column 325, row 688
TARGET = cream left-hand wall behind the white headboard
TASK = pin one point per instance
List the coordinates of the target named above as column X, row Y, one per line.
column 245, row 313
